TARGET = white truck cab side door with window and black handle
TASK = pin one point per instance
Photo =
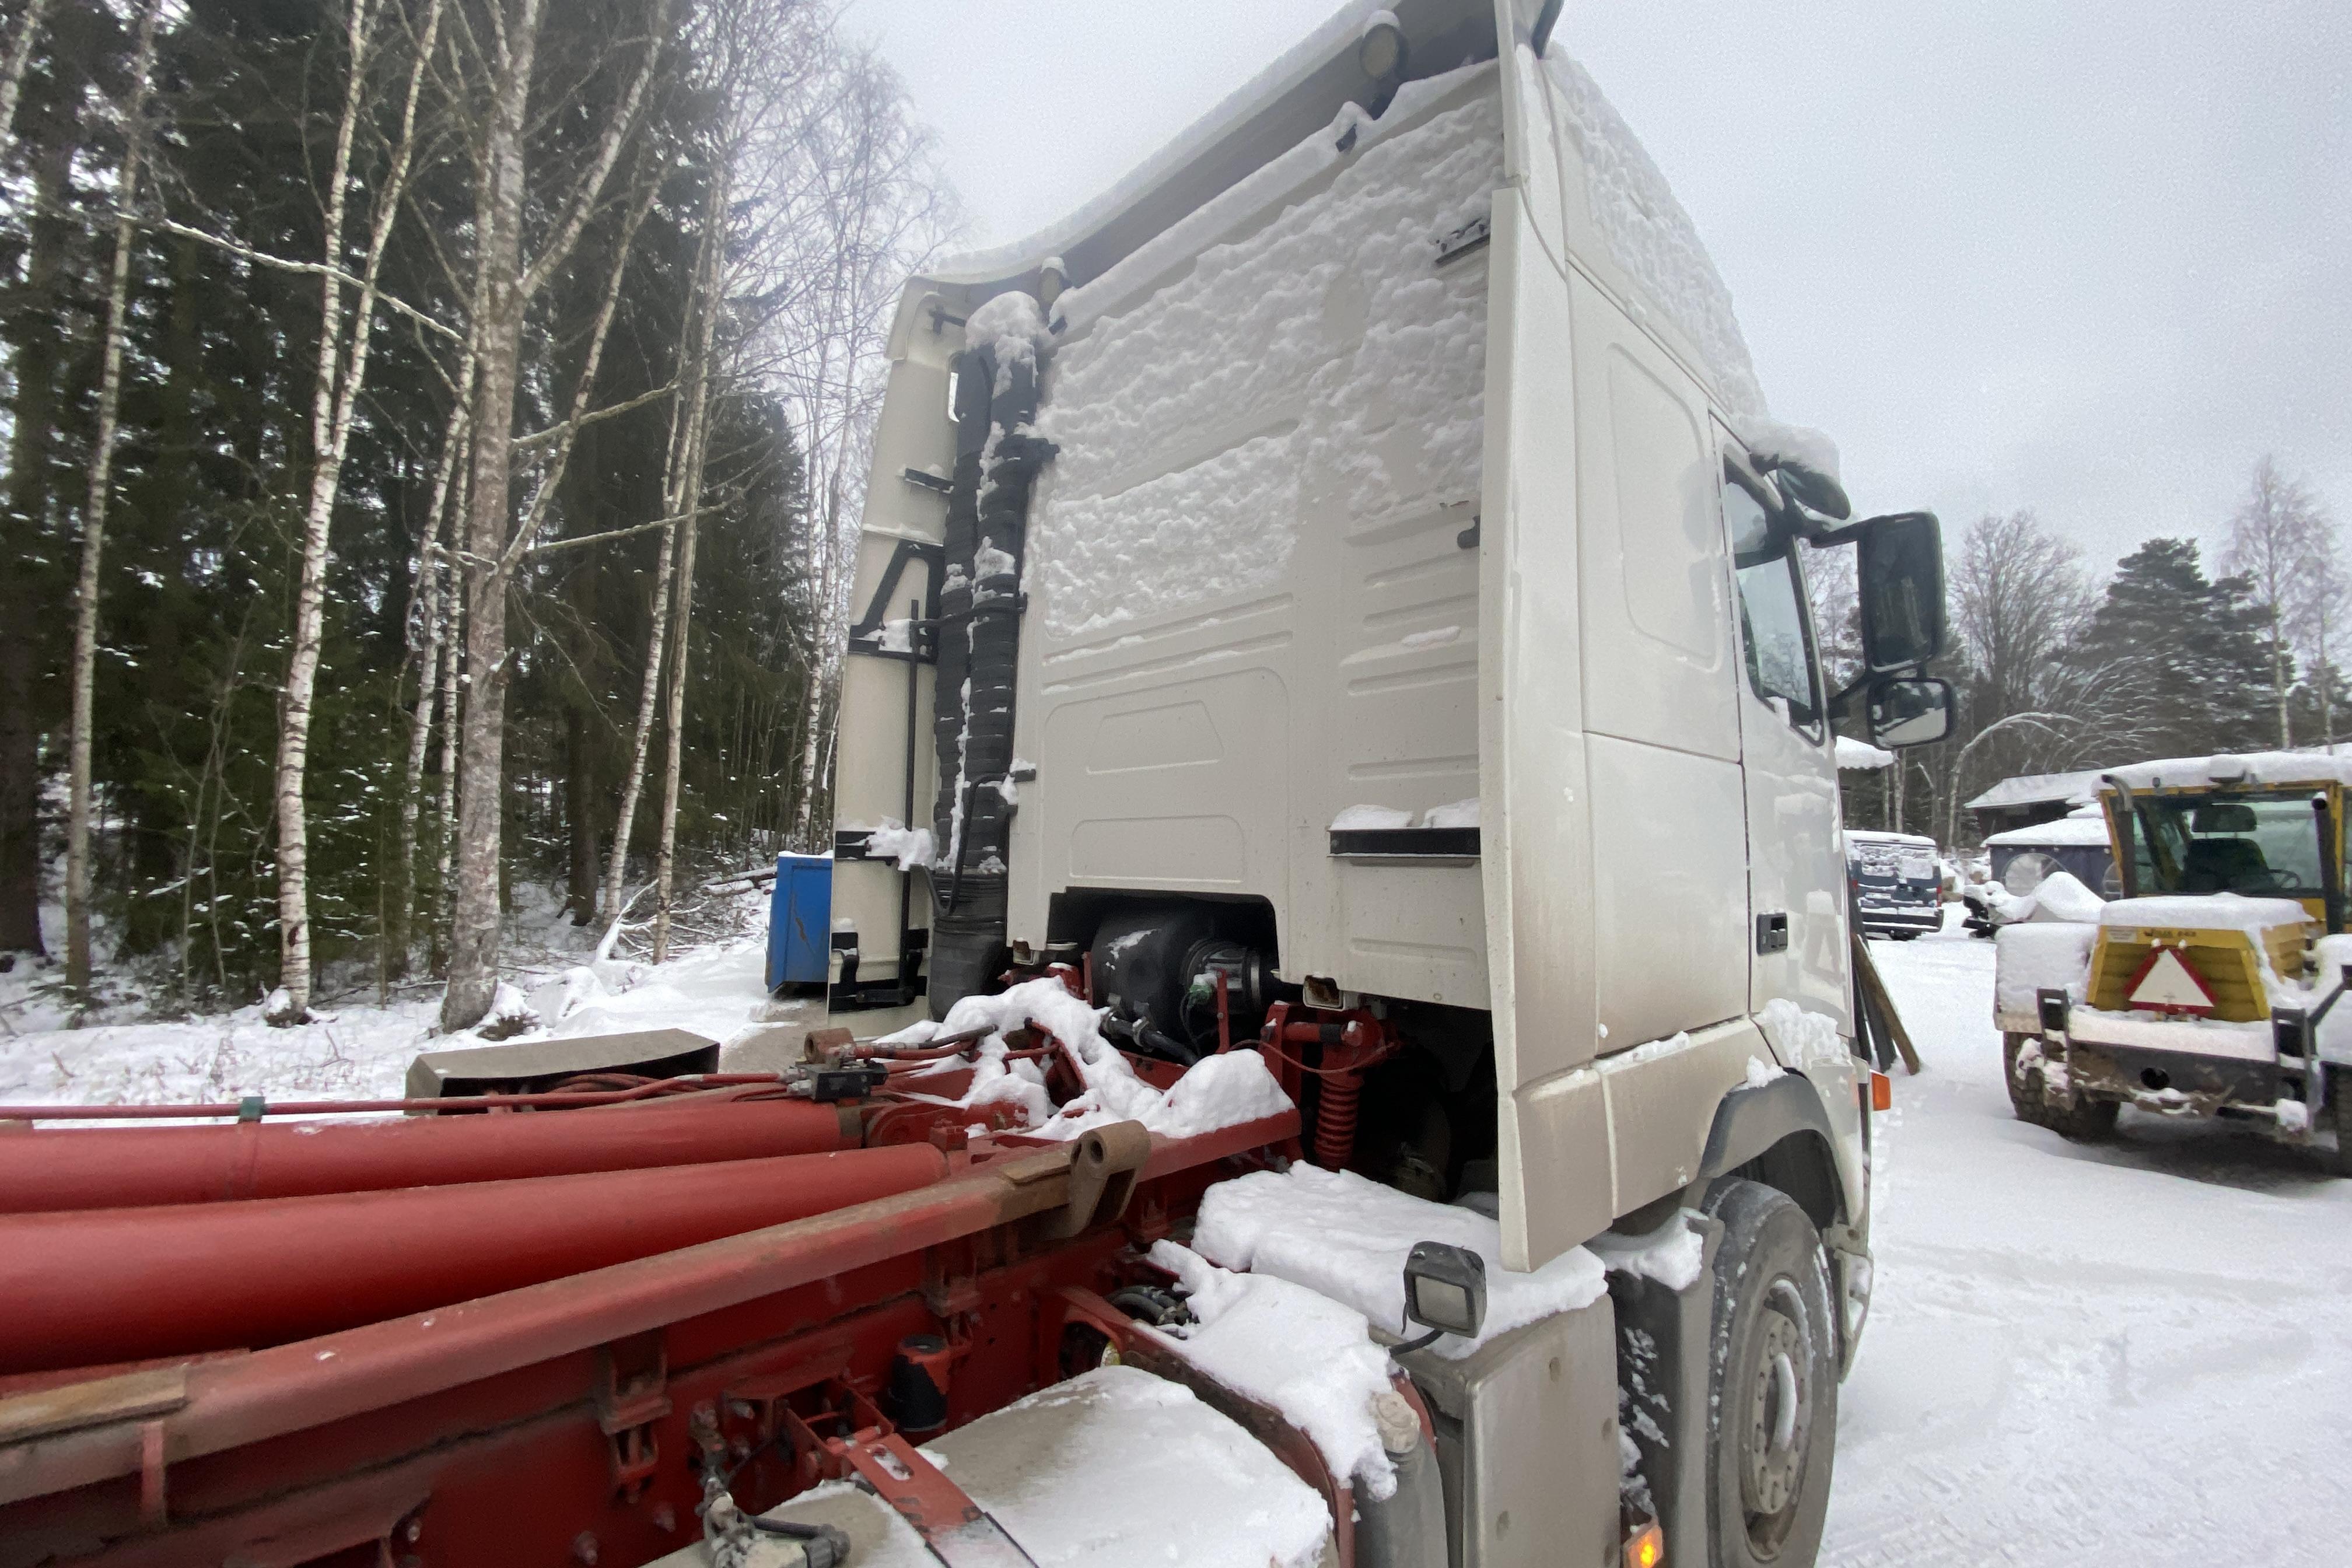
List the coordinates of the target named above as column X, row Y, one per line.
column 1796, row 866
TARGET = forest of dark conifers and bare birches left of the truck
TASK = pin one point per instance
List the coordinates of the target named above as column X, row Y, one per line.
column 434, row 455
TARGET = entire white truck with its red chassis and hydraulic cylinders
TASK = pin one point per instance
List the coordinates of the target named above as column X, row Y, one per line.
column 1342, row 993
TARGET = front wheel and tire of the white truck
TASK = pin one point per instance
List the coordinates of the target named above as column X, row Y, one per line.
column 1772, row 1383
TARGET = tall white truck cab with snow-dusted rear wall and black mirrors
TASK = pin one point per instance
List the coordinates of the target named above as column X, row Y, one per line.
column 1349, row 570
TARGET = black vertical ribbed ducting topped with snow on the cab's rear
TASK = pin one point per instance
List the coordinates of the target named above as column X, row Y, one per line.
column 980, row 641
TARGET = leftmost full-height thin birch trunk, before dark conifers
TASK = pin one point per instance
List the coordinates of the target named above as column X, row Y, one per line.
column 102, row 457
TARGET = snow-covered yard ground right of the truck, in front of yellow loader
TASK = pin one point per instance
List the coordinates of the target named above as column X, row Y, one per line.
column 2104, row 1358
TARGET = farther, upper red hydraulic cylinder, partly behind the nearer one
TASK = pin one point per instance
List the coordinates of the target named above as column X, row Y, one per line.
column 135, row 1167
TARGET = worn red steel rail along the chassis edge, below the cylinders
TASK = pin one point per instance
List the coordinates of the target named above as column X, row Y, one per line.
column 295, row 1388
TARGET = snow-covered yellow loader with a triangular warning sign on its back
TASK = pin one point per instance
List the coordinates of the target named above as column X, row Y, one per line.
column 2212, row 989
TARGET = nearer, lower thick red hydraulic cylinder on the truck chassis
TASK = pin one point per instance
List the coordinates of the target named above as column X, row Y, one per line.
column 121, row 1285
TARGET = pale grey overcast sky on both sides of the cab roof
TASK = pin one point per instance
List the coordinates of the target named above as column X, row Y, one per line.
column 2085, row 257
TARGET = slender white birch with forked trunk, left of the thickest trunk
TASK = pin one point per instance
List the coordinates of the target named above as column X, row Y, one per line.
column 335, row 403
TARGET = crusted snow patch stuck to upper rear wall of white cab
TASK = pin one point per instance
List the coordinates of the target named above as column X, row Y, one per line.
column 1316, row 370
